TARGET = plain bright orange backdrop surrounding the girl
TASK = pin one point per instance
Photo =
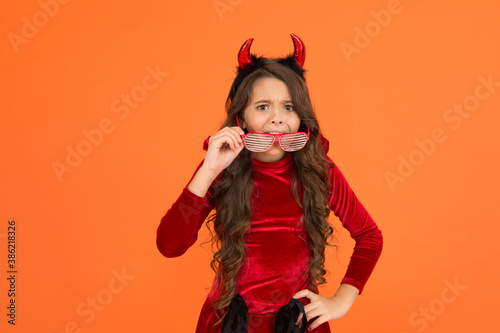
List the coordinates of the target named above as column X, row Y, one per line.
column 77, row 230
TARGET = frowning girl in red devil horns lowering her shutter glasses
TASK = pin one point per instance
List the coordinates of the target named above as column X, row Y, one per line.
column 268, row 176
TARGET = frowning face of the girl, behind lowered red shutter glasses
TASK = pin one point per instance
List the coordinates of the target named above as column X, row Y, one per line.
column 270, row 111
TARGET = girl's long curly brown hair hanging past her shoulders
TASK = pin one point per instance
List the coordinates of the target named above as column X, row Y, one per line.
column 233, row 191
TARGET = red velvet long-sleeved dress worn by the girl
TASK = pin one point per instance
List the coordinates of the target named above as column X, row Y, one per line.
column 275, row 266
